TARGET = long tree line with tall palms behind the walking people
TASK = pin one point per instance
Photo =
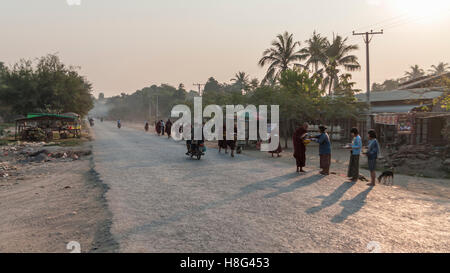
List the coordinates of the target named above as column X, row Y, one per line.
column 309, row 84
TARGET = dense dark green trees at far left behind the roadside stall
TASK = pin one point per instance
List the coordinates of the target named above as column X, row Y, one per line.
column 44, row 85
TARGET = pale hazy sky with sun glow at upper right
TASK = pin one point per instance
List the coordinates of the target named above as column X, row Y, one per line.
column 125, row 45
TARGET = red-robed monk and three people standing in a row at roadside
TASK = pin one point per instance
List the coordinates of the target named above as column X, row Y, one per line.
column 301, row 138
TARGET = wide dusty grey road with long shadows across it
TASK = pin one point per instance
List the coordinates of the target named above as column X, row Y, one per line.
column 163, row 201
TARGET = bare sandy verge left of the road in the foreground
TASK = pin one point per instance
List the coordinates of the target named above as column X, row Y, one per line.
column 44, row 206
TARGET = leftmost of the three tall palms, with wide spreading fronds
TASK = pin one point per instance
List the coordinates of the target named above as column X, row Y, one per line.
column 281, row 56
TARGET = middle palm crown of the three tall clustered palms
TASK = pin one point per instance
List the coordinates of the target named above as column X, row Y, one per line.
column 316, row 51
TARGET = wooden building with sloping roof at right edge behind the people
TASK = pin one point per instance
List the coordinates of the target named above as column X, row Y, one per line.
column 409, row 115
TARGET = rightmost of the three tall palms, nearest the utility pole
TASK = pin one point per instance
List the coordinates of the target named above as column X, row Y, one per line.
column 338, row 54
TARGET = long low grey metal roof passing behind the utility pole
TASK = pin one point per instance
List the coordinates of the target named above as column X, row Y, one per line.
column 401, row 95
